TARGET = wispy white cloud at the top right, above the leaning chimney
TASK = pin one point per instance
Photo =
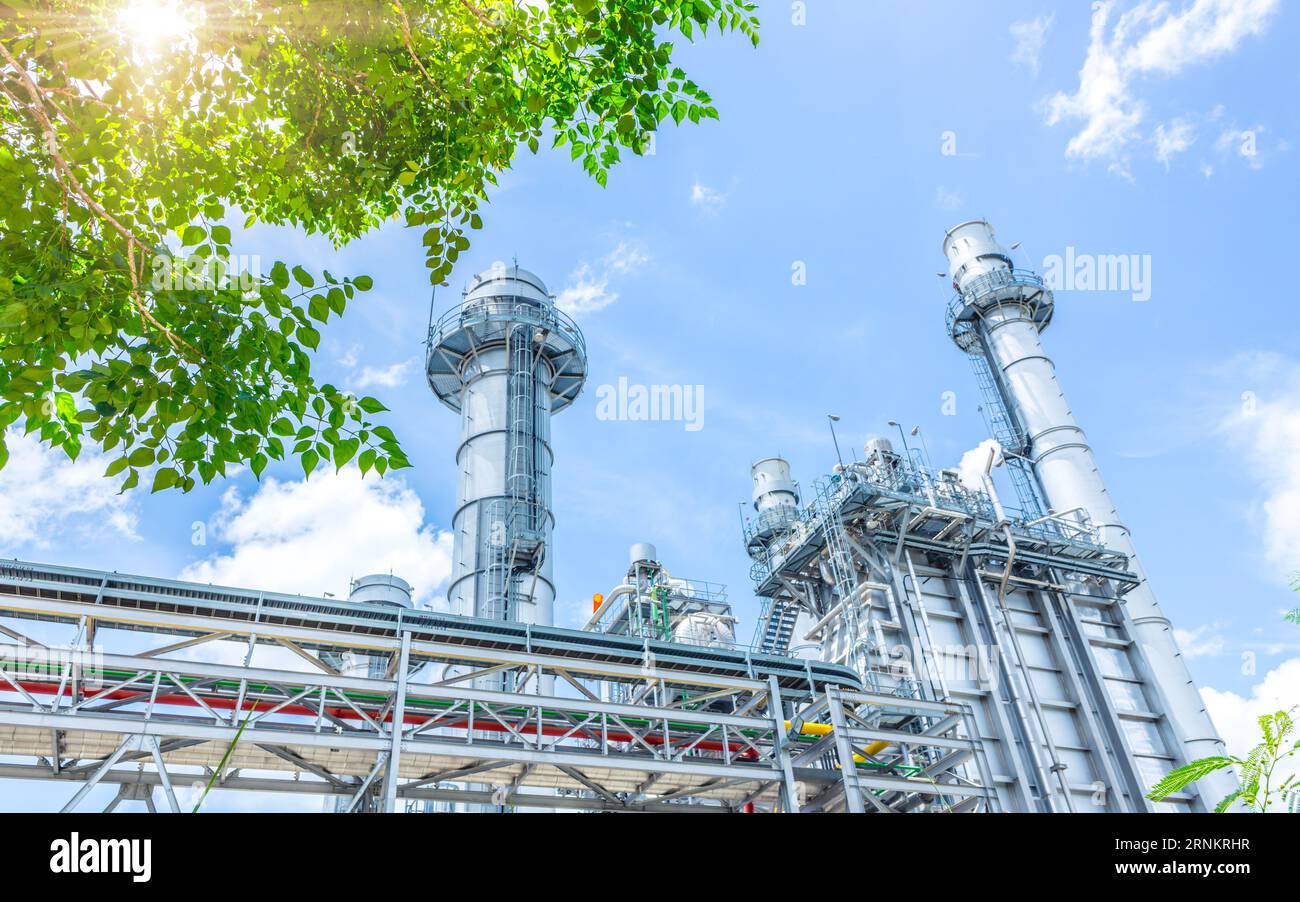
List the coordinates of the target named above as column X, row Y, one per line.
column 1151, row 38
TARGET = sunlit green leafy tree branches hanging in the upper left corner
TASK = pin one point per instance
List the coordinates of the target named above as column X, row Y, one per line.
column 124, row 161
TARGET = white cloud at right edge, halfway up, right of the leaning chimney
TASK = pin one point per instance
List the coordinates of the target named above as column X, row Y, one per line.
column 1267, row 428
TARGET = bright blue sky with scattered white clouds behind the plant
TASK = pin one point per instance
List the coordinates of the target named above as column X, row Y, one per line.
column 1173, row 140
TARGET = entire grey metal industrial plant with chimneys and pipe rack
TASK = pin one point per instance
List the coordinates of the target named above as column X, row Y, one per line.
column 925, row 645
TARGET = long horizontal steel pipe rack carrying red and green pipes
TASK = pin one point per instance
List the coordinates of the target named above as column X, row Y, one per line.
column 691, row 735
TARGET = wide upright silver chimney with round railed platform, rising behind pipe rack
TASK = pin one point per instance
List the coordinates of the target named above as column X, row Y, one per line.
column 506, row 359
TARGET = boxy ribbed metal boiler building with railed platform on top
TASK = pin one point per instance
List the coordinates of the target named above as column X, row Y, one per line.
column 1067, row 709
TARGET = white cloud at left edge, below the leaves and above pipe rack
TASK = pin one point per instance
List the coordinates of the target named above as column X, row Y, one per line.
column 44, row 495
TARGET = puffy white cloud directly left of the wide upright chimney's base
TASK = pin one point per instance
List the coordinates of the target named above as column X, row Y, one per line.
column 317, row 536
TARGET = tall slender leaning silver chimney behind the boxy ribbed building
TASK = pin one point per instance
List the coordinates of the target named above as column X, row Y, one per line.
column 1007, row 314
